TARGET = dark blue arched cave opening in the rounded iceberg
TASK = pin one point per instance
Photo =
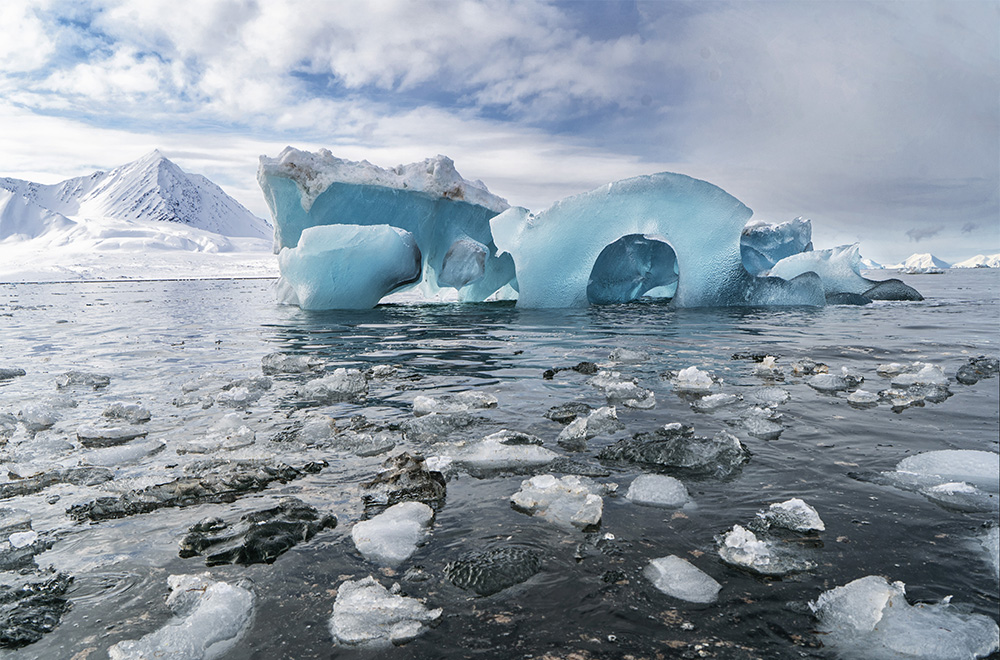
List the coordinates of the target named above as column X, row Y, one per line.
column 634, row 266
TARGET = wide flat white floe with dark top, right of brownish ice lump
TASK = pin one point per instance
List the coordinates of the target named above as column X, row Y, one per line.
column 505, row 451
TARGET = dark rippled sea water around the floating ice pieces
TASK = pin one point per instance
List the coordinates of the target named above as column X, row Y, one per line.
column 590, row 598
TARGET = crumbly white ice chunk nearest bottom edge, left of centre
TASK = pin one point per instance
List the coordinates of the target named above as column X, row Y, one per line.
column 367, row 614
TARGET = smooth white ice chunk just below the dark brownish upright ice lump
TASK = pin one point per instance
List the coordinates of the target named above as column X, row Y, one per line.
column 393, row 535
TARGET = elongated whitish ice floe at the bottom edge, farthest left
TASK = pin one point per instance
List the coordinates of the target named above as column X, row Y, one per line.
column 210, row 618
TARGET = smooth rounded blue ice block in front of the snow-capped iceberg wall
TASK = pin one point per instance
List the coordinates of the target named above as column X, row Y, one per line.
column 347, row 266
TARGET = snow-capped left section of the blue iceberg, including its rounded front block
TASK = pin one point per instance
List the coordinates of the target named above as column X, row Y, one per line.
column 442, row 223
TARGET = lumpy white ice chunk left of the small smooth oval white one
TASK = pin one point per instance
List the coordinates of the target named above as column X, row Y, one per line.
column 571, row 501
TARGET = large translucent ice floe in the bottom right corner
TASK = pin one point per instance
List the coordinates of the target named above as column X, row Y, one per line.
column 870, row 618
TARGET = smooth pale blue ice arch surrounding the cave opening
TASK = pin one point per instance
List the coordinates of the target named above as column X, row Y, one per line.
column 556, row 250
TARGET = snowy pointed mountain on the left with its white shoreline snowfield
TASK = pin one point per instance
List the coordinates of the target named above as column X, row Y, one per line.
column 145, row 219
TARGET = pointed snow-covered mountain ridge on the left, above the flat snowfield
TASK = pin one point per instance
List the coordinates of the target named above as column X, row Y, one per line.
column 151, row 188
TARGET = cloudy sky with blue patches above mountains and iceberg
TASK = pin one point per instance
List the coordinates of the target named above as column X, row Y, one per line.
column 880, row 121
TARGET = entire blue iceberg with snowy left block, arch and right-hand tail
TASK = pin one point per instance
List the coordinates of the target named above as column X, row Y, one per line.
column 347, row 234
